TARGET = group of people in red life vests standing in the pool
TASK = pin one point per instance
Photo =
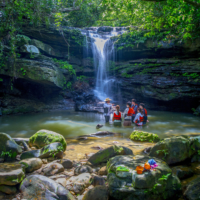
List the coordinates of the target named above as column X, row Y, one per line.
column 134, row 113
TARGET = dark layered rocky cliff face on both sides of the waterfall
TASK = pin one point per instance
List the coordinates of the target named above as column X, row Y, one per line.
column 165, row 76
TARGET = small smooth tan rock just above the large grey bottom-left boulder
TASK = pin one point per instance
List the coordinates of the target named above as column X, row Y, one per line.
column 32, row 164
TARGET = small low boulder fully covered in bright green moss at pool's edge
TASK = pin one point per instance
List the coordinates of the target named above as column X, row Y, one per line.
column 144, row 136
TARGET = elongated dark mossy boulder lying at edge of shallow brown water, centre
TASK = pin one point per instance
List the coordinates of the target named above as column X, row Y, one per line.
column 104, row 155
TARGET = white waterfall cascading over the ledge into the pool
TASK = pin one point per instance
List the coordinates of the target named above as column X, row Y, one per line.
column 103, row 52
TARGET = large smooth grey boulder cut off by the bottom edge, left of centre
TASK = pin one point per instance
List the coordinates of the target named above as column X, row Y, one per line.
column 35, row 186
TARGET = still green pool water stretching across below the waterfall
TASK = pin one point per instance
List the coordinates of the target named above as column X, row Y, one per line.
column 72, row 124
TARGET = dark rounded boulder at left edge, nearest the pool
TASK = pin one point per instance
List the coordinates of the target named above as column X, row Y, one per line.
column 9, row 146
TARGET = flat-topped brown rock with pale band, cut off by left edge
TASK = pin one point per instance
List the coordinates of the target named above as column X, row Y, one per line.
column 11, row 174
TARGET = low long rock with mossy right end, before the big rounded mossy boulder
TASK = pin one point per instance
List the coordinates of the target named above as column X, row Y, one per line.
column 52, row 150
